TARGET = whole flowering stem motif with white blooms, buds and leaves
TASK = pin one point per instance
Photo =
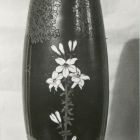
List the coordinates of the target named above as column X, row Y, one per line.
column 66, row 77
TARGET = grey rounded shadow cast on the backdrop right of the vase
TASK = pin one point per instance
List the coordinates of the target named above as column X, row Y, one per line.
column 124, row 120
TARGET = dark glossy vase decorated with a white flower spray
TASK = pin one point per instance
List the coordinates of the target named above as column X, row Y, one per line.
column 65, row 71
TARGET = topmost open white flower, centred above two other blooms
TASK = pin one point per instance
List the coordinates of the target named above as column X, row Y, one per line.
column 66, row 66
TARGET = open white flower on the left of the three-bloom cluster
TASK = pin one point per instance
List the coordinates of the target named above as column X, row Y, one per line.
column 55, row 81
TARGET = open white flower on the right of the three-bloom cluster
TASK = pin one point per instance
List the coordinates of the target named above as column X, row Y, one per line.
column 78, row 79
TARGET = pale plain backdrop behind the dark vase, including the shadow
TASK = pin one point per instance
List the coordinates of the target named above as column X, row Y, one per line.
column 121, row 26
